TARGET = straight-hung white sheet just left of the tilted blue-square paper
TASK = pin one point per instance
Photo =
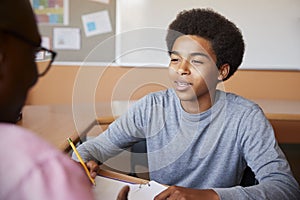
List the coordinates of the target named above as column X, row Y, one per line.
column 66, row 38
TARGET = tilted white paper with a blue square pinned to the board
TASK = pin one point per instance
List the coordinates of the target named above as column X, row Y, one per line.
column 96, row 23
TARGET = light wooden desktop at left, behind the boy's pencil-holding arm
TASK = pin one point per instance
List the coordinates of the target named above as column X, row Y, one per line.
column 55, row 123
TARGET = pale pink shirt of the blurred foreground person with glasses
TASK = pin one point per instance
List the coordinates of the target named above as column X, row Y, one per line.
column 32, row 169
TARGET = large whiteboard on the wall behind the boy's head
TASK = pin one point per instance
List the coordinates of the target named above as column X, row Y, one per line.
column 271, row 30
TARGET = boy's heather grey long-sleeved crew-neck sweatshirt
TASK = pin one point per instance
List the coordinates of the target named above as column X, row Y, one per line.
column 206, row 150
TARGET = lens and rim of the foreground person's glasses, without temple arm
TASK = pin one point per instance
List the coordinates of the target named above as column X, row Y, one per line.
column 43, row 59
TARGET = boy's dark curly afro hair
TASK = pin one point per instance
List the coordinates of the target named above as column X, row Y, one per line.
column 226, row 39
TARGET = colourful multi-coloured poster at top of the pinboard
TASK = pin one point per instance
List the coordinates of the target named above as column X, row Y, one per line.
column 52, row 12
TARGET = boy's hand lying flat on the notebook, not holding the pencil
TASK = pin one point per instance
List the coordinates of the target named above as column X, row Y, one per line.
column 175, row 192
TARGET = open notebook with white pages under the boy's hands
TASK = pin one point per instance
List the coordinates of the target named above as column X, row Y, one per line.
column 108, row 189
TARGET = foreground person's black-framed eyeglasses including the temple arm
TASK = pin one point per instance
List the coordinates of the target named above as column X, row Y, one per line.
column 43, row 56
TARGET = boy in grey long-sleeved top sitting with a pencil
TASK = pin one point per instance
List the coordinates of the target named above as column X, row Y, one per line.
column 199, row 138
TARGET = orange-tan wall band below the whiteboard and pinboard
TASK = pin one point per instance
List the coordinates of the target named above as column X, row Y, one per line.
column 123, row 83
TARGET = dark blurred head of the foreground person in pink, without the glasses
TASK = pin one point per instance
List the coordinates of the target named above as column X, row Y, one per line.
column 19, row 40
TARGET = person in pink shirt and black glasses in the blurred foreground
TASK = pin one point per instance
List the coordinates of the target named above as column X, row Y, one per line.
column 29, row 167
